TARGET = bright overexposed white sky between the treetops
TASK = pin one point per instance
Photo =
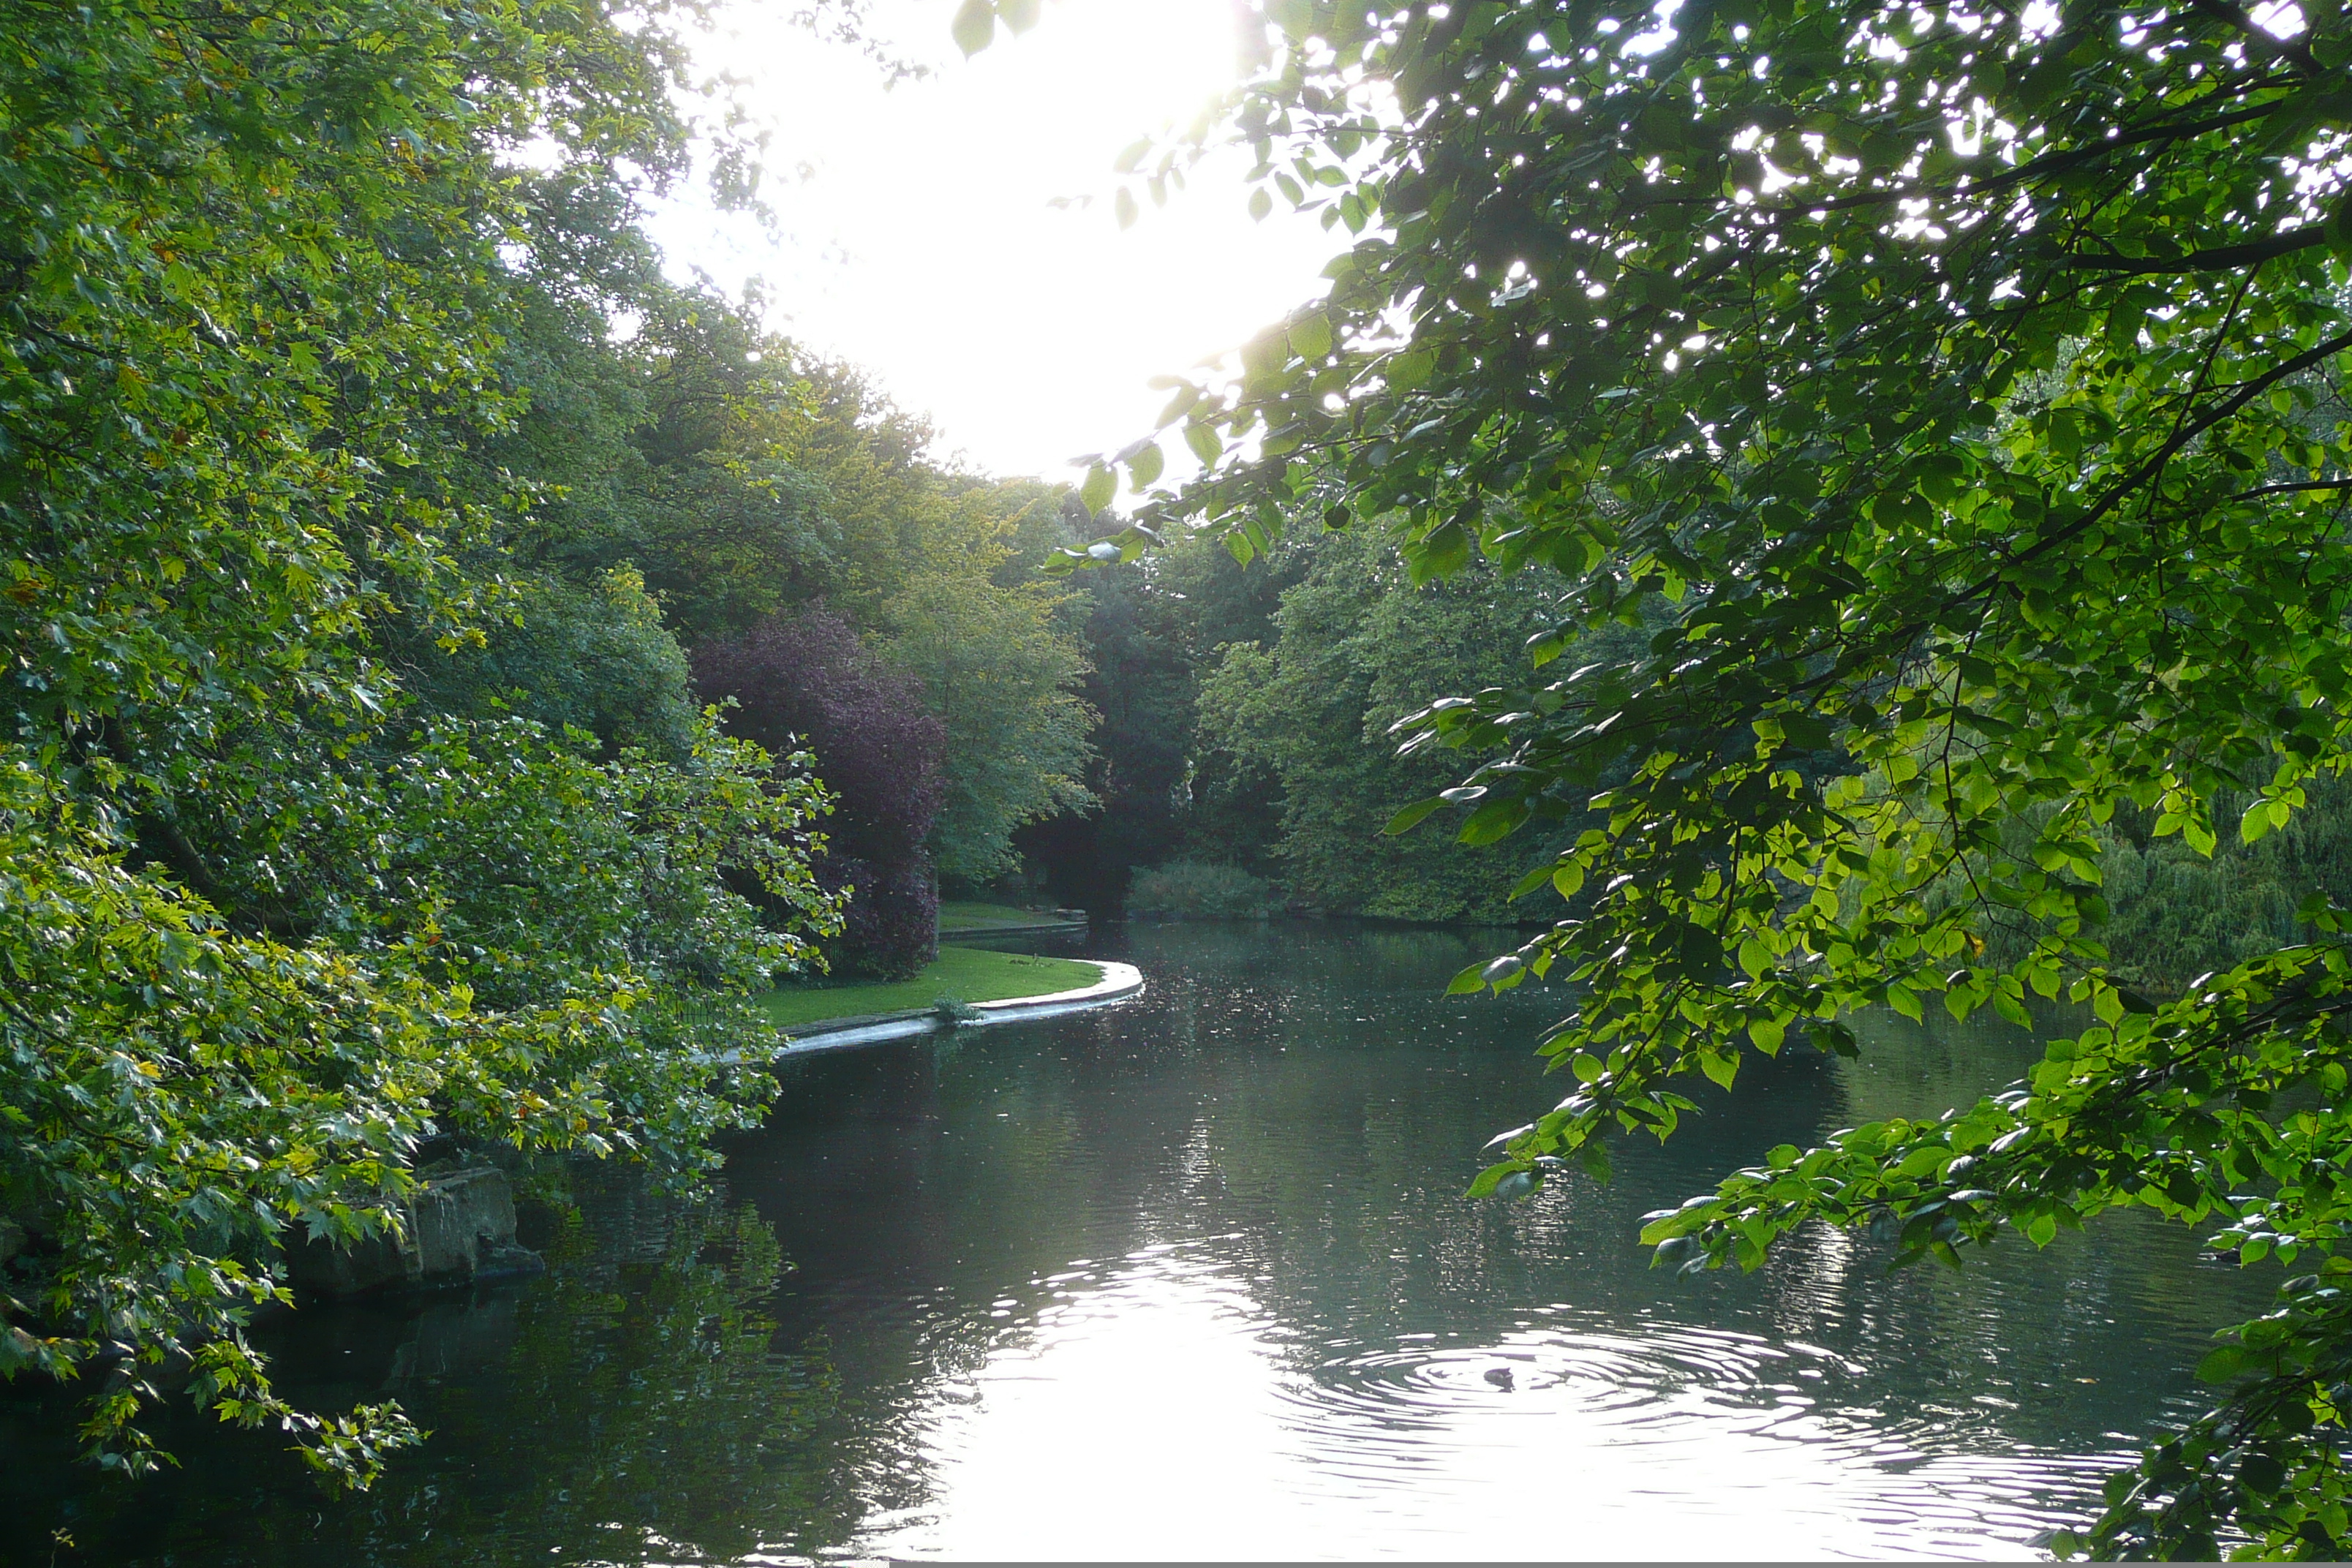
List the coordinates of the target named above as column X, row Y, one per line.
column 923, row 241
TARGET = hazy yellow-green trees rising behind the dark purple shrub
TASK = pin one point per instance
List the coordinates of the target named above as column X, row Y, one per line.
column 766, row 481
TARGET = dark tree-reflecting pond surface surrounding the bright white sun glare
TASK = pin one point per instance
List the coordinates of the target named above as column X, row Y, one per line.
column 1297, row 1111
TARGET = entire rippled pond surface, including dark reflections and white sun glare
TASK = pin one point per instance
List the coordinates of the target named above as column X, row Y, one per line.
column 1194, row 1278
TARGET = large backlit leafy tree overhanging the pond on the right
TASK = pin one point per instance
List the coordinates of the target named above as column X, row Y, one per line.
column 1965, row 387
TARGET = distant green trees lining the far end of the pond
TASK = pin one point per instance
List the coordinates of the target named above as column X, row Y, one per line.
column 1243, row 753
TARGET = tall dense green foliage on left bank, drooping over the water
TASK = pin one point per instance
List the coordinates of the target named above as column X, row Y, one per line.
column 272, row 918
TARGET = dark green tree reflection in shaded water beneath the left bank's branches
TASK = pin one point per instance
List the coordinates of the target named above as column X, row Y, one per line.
column 627, row 1405
